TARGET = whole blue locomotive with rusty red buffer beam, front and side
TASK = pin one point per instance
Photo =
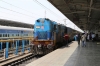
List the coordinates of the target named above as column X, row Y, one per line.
column 48, row 35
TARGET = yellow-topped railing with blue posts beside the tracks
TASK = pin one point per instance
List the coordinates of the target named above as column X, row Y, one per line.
column 16, row 49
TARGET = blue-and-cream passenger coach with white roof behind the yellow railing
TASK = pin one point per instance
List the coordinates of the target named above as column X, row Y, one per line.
column 8, row 33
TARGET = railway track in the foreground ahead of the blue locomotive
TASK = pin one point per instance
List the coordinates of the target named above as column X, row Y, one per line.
column 22, row 61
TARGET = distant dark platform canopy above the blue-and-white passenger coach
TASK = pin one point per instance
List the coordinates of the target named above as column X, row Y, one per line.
column 14, row 23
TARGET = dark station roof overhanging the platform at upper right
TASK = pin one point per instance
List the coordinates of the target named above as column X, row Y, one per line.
column 84, row 13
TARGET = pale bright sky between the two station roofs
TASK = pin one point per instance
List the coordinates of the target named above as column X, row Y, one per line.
column 27, row 11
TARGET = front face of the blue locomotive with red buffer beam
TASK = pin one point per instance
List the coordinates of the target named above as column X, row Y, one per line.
column 42, row 35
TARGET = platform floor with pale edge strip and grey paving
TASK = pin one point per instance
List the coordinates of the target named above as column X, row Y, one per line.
column 73, row 55
